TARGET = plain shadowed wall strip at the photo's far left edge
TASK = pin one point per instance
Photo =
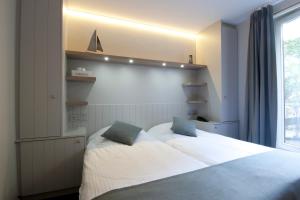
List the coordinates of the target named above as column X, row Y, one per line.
column 8, row 169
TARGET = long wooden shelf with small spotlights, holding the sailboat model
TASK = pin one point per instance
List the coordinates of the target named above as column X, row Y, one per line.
column 125, row 60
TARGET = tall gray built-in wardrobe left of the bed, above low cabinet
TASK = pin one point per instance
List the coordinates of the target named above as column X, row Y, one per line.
column 40, row 68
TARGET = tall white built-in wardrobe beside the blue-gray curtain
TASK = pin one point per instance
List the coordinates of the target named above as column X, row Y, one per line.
column 217, row 48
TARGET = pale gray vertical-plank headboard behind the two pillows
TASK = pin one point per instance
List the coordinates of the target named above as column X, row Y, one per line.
column 143, row 115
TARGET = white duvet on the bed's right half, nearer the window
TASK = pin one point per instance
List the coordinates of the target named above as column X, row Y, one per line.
column 207, row 147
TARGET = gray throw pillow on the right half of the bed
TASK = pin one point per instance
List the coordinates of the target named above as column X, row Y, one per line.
column 184, row 127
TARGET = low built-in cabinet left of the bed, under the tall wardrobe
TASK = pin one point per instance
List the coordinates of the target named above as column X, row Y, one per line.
column 51, row 165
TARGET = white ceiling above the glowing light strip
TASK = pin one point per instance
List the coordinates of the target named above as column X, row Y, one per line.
column 191, row 15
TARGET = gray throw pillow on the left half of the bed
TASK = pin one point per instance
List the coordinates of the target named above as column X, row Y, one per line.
column 122, row 132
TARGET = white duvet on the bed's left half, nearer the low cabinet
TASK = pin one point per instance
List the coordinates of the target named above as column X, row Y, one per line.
column 109, row 165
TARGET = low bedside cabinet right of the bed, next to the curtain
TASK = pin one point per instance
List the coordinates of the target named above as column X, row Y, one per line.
column 229, row 129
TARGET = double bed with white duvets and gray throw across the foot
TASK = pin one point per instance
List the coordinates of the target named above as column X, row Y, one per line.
column 176, row 167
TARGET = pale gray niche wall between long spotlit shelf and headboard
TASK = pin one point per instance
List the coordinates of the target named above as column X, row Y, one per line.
column 132, row 84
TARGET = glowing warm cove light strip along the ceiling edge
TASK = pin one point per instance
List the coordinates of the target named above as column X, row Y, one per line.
column 131, row 24
